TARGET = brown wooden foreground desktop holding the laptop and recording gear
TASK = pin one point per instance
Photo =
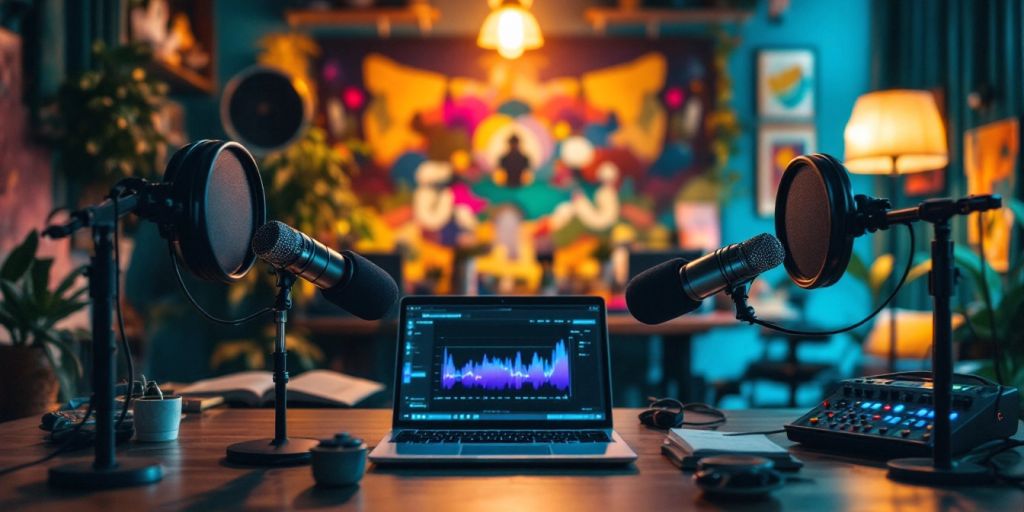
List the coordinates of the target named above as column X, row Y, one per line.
column 197, row 479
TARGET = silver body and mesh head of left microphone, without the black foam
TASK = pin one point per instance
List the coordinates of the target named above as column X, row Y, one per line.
column 296, row 252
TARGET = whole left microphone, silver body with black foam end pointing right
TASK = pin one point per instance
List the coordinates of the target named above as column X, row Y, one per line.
column 346, row 279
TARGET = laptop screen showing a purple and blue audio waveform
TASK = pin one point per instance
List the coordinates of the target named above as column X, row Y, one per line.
column 526, row 362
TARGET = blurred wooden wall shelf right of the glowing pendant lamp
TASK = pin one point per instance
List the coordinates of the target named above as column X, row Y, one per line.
column 602, row 18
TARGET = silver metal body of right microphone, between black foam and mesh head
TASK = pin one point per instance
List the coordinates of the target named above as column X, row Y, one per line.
column 715, row 272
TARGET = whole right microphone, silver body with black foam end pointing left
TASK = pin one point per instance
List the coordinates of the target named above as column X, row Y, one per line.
column 677, row 287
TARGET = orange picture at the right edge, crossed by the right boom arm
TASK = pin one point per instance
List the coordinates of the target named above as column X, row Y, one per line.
column 991, row 164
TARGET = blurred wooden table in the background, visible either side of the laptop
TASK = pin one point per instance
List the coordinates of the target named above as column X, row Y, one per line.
column 619, row 324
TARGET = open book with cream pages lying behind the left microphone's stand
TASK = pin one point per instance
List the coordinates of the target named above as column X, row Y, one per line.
column 319, row 388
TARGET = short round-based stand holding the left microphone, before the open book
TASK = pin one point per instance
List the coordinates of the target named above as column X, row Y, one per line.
column 281, row 451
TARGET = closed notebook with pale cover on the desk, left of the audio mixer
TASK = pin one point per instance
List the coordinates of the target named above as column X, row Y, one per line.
column 688, row 447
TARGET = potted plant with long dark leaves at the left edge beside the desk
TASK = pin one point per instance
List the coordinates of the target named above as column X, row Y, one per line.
column 41, row 359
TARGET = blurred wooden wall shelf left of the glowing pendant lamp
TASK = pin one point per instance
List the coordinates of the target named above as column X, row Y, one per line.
column 422, row 16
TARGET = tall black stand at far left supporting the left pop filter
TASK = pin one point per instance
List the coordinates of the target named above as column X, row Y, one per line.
column 105, row 472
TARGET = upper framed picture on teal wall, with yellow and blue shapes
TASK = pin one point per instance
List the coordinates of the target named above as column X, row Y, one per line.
column 787, row 84
